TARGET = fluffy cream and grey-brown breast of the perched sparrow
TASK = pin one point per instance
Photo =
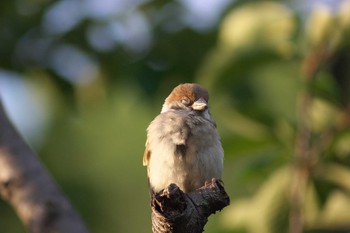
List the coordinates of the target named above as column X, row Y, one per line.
column 185, row 150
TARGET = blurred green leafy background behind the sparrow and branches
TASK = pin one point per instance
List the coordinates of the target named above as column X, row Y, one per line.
column 82, row 79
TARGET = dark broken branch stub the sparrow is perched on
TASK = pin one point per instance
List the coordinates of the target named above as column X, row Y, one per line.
column 174, row 211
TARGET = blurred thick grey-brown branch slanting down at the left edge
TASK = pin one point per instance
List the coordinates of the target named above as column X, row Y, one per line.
column 28, row 188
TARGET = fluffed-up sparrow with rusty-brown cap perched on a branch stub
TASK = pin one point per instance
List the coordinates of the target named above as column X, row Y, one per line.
column 183, row 145
